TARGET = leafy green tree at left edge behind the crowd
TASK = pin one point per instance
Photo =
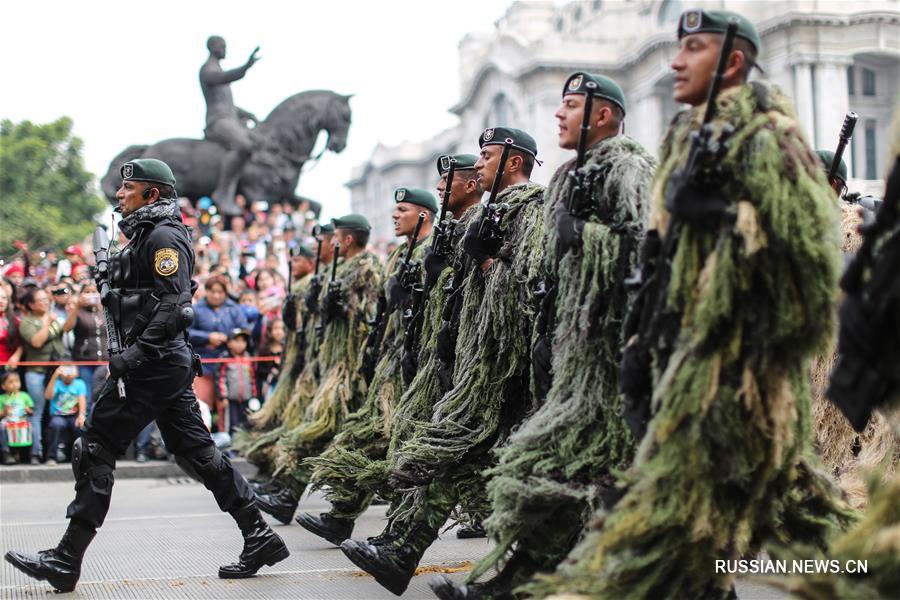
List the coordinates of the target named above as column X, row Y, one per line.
column 47, row 198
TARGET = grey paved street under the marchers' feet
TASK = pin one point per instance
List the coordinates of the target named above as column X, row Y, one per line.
column 164, row 538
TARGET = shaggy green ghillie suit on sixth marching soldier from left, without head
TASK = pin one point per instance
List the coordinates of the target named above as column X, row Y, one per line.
column 493, row 349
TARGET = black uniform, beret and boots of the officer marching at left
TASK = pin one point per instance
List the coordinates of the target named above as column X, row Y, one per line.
column 152, row 302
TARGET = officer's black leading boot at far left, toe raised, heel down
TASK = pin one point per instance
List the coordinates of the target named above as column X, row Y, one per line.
column 60, row 566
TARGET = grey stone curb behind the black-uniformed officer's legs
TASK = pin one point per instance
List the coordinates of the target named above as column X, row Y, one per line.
column 125, row 469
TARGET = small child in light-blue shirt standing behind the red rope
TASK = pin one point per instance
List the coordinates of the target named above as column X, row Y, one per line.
column 67, row 394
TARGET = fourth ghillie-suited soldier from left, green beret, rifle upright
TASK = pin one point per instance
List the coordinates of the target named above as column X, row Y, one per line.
column 366, row 433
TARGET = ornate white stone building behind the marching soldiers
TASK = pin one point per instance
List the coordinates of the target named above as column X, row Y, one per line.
column 831, row 56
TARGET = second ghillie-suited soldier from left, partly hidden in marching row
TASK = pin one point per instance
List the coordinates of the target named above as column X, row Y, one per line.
column 284, row 409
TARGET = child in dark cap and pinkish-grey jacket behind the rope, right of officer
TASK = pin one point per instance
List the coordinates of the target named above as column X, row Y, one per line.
column 236, row 382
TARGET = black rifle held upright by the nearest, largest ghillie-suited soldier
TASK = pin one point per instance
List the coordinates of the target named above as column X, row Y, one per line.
column 648, row 320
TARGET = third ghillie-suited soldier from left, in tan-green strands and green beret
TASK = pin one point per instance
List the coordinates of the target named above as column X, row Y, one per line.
column 347, row 308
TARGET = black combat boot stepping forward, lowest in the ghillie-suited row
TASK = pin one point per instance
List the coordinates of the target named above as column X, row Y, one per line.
column 391, row 564
